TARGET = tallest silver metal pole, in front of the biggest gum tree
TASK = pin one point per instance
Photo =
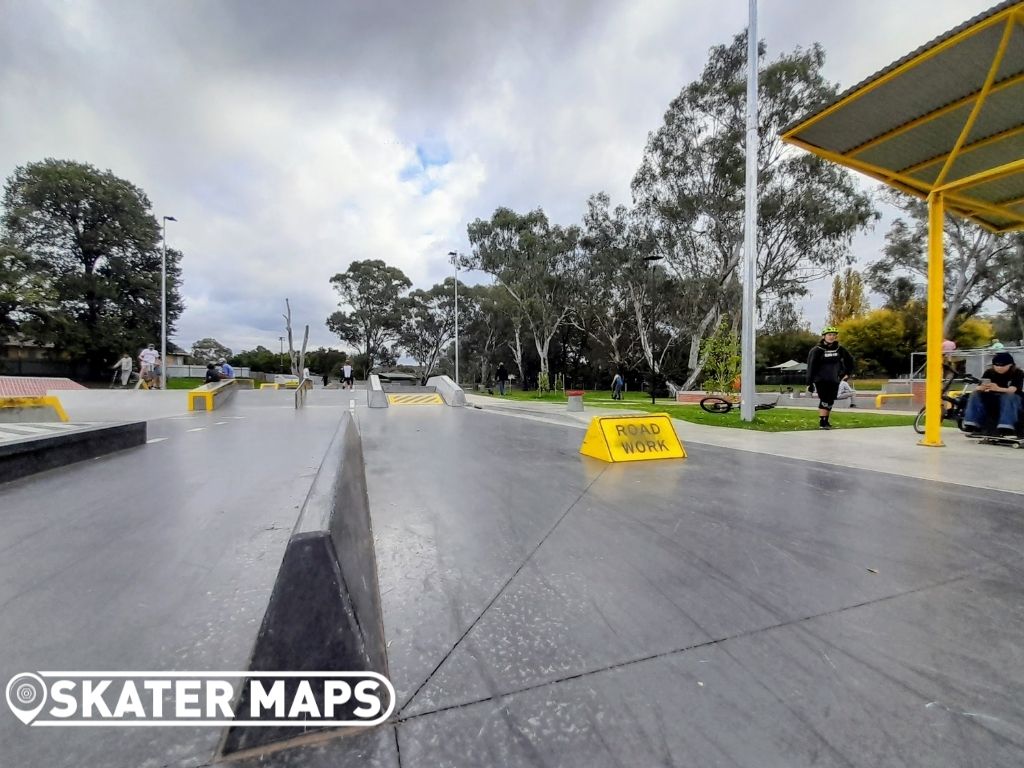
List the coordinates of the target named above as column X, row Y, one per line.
column 748, row 390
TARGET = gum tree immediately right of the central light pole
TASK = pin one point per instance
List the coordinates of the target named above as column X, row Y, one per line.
column 536, row 262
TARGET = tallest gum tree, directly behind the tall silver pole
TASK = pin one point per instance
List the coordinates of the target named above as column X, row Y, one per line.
column 691, row 186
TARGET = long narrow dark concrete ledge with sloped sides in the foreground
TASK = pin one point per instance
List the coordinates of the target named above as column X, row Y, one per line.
column 325, row 612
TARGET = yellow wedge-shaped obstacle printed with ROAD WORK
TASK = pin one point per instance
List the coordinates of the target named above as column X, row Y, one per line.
column 632, row 439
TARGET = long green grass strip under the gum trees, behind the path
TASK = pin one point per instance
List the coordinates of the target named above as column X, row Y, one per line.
column 776, row 420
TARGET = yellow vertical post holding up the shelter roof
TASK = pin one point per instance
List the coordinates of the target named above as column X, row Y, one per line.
column 933, row 368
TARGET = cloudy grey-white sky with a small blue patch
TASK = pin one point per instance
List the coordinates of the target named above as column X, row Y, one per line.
column 290, row 139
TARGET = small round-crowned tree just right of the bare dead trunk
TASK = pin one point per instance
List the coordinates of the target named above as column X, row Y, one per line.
column 372, row 292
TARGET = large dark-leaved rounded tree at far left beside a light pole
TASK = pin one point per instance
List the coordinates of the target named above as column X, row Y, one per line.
column 95, row 247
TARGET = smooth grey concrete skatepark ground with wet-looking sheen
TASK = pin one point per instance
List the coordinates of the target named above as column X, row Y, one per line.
column 826, row 603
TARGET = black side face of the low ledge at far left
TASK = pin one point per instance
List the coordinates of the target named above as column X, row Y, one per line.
column 22, row 458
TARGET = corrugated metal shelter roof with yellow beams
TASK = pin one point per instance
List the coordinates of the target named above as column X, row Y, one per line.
column 949, row 117
